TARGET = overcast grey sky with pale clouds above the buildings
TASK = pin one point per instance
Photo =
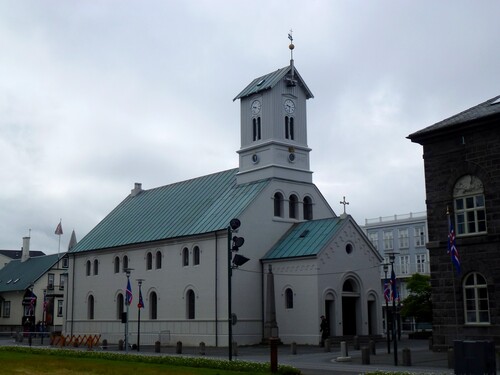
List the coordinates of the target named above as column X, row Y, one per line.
column 98, row 95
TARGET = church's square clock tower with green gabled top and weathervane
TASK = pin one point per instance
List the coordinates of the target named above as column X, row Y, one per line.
column 274, row 127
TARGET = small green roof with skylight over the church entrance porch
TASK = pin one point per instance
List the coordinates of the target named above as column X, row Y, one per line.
column 305, row 239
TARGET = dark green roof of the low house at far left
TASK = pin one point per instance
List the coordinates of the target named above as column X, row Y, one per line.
column 18, row 276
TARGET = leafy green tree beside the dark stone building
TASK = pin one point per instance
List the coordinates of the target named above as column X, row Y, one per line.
column 418, row 303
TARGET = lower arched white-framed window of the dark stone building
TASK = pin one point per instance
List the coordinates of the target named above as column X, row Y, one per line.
column 476, row 299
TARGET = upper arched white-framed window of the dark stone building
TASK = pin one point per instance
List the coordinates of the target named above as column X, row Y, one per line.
column 470, row 214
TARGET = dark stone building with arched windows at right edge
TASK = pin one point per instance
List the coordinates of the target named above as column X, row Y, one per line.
column 462, row 176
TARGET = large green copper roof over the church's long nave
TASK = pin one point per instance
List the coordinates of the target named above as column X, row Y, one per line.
column 201, row 205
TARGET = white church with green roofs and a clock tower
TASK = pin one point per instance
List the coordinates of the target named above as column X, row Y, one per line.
column 175, row 241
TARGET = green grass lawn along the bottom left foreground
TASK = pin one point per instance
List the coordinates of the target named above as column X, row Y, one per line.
column 22, row 360
